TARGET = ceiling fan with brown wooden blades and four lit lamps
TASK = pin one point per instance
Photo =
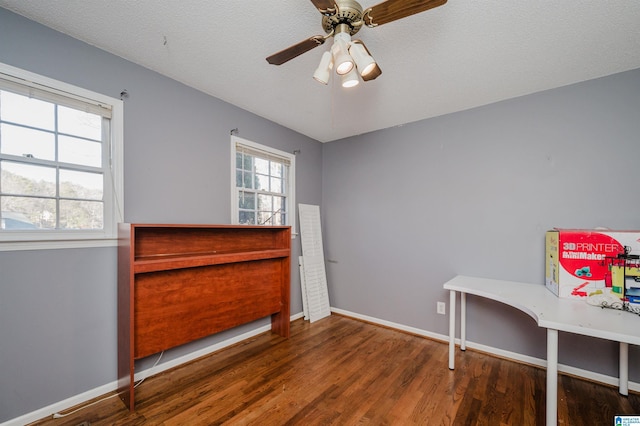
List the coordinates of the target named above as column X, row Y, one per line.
column 341, row 19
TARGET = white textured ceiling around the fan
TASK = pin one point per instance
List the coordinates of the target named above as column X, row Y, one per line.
column 458, row 56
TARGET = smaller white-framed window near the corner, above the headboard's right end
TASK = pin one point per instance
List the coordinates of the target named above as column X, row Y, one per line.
column 263, row 184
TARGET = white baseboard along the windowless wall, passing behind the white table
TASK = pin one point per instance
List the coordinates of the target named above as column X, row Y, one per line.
column 542, row 363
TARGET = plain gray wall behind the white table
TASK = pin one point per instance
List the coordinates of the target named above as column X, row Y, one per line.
column 472, row 193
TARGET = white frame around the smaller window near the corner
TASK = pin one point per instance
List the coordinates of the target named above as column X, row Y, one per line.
column 291, row 179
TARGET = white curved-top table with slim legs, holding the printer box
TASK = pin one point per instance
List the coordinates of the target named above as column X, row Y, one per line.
column 553, row 313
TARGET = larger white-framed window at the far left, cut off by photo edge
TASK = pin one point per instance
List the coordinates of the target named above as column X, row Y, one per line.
column 60, row 163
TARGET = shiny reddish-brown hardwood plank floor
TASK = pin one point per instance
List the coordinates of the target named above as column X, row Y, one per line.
column 340, row 371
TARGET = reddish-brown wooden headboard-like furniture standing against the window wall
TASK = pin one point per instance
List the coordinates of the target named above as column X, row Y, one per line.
column 179, row 283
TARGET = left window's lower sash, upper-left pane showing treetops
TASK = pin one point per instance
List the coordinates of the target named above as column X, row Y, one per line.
column 25, row 179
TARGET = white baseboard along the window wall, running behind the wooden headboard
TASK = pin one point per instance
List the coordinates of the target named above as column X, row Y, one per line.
column 113, row 386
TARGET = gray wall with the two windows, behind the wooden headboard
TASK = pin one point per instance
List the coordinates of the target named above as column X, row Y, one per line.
column 58, row 307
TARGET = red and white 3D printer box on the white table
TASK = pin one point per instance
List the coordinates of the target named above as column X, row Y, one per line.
column 580, row 261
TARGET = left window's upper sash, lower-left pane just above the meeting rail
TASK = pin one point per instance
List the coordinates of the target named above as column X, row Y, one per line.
column 25, row 142
